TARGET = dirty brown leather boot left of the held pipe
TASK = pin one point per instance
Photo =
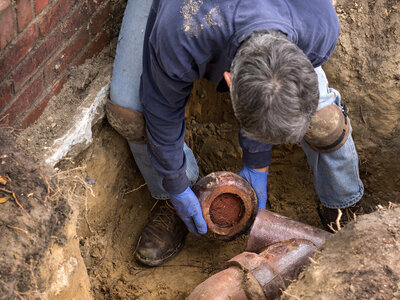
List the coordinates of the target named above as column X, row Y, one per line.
column 163, row 236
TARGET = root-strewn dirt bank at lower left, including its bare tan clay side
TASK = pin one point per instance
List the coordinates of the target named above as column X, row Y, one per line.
column 40, row 255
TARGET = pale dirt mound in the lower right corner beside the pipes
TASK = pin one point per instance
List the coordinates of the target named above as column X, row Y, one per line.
column 362, row 261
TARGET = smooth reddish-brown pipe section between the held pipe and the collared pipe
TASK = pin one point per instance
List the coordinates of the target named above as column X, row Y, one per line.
column 269, row 228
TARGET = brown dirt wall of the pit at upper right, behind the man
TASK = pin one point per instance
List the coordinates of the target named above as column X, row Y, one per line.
column 365, row 67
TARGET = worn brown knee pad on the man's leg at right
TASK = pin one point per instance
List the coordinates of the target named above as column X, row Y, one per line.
column 329, row 129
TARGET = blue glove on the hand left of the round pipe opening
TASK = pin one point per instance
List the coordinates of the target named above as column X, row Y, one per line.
column 188, row 208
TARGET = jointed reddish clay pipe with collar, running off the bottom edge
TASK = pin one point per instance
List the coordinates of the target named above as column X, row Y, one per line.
column 257, row 276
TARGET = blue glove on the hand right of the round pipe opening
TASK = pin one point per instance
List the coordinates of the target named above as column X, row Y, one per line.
column 258, row 180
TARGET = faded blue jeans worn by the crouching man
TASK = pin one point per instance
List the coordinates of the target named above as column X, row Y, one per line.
column 336, row 174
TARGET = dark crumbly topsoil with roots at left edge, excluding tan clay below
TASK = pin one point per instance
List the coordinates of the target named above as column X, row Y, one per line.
column 32, row 218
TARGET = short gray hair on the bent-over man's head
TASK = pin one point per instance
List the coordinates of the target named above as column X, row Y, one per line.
column 274, row 88
